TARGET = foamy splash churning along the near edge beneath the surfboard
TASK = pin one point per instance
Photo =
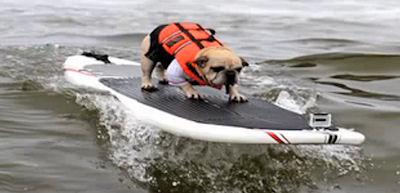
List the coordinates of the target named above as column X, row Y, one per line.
column 162, row 161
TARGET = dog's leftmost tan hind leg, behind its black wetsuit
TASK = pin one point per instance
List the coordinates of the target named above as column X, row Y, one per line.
column 147, row 65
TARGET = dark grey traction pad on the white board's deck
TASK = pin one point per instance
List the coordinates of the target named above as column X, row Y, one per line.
column 215, row 109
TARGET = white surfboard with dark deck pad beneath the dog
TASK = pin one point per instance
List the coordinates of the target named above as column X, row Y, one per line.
column 212, row 119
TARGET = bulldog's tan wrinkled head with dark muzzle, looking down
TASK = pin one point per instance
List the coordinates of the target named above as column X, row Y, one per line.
column 220, row 65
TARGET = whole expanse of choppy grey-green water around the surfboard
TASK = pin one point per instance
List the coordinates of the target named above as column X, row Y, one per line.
column 340, row 57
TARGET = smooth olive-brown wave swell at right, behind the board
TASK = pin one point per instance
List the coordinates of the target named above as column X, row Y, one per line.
column 358, row 78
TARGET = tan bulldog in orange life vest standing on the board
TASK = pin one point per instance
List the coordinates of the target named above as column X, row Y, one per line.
column 186, row 54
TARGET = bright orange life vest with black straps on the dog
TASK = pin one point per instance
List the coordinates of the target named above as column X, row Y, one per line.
column 184, row 41
